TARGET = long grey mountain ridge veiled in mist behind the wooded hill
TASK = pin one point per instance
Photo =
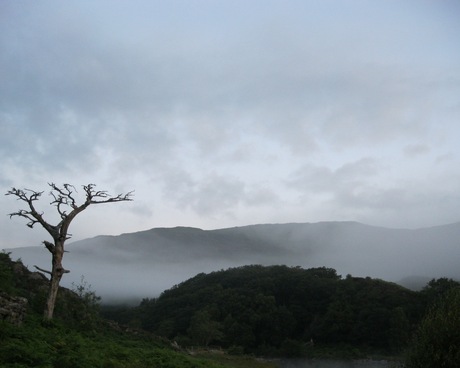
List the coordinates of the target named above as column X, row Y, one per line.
column 144, row 263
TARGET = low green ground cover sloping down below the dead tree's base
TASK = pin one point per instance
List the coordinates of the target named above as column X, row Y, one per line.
column 36, row 344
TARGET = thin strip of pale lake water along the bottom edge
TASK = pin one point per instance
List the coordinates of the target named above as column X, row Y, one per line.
column 303, row 363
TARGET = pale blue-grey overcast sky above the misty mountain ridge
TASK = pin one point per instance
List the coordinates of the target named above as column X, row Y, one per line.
column 229, row 113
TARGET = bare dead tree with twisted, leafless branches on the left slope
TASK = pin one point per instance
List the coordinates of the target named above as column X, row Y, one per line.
column 65, row 201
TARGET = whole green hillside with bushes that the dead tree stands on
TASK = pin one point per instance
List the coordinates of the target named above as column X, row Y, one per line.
column 79, row 338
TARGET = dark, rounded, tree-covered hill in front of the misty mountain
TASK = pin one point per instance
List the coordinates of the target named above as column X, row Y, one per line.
column 284, row 310
